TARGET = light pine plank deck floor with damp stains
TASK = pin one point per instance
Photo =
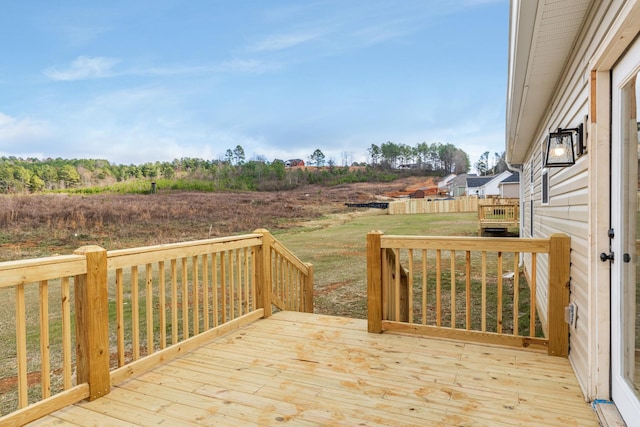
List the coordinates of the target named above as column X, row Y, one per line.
column 306, row 369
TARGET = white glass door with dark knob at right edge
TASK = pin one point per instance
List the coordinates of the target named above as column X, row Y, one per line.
column 625, row 220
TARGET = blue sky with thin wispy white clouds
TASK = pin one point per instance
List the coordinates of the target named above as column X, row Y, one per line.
column 138, row 81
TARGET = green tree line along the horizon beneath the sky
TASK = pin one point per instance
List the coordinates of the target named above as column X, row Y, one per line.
column 233, row 172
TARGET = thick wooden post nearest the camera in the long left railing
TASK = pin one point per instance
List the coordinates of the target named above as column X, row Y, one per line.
column 92, row 323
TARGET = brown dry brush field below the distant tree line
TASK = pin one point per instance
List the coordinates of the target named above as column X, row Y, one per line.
column 44, row 225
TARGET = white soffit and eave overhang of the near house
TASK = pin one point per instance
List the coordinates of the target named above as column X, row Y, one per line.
column 541, row 39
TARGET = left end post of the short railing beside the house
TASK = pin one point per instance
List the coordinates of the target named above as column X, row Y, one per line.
column 374, row 281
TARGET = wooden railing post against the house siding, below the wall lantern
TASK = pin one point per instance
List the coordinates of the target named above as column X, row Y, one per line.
column 559, row 276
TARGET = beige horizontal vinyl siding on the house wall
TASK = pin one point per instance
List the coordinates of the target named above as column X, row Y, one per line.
column 569, row 207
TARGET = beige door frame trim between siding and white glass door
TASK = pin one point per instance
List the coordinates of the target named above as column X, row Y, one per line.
column 610, row 49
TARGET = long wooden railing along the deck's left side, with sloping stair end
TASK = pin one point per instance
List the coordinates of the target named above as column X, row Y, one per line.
column 132, row 309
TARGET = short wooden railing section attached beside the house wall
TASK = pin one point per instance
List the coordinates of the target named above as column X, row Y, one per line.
column 469, row 289
